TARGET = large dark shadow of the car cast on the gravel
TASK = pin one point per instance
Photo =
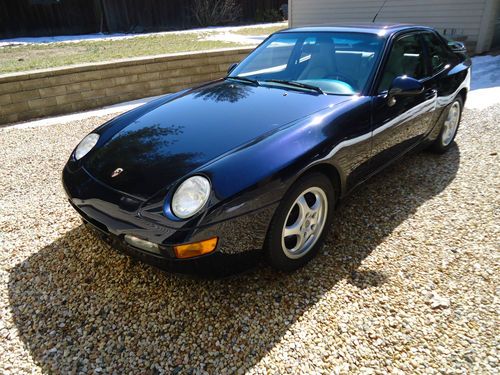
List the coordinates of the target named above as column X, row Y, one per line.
column 80, row 306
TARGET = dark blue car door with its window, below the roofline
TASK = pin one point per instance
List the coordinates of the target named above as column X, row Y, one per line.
column 399, row 123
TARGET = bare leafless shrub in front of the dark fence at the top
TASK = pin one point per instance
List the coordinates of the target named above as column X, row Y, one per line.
column 215, row 12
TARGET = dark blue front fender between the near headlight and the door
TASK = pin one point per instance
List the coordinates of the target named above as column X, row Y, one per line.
column 260, row 173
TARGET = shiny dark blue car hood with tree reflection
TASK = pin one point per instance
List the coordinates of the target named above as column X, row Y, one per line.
column 172, row 139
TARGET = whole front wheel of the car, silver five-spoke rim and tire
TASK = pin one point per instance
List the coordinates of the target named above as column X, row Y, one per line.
column 300, row 223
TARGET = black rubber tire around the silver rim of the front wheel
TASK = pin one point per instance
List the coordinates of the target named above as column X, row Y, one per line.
column 273, row 249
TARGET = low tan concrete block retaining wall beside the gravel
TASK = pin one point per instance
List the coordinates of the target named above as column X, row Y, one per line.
column 28, row 95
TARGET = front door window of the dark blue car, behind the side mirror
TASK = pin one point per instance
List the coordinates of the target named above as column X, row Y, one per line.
column 406, row 58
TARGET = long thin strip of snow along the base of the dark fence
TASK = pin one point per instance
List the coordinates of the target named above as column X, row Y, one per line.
column 119, row 36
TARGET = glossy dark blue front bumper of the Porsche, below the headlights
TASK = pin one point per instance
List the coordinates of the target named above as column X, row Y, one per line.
column 113, row 215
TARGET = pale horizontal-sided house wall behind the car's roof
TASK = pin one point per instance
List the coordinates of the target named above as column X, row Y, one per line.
column 459, row 19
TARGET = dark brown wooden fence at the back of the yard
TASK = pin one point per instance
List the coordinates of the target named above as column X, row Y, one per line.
column 63, row 17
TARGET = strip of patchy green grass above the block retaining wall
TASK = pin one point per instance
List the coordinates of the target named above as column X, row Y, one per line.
column 30, row 57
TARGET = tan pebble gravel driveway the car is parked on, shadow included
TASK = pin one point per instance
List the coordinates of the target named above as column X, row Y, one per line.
column 406, row 283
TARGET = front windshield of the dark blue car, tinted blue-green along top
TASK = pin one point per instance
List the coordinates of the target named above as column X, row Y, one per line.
column 331, row 62
